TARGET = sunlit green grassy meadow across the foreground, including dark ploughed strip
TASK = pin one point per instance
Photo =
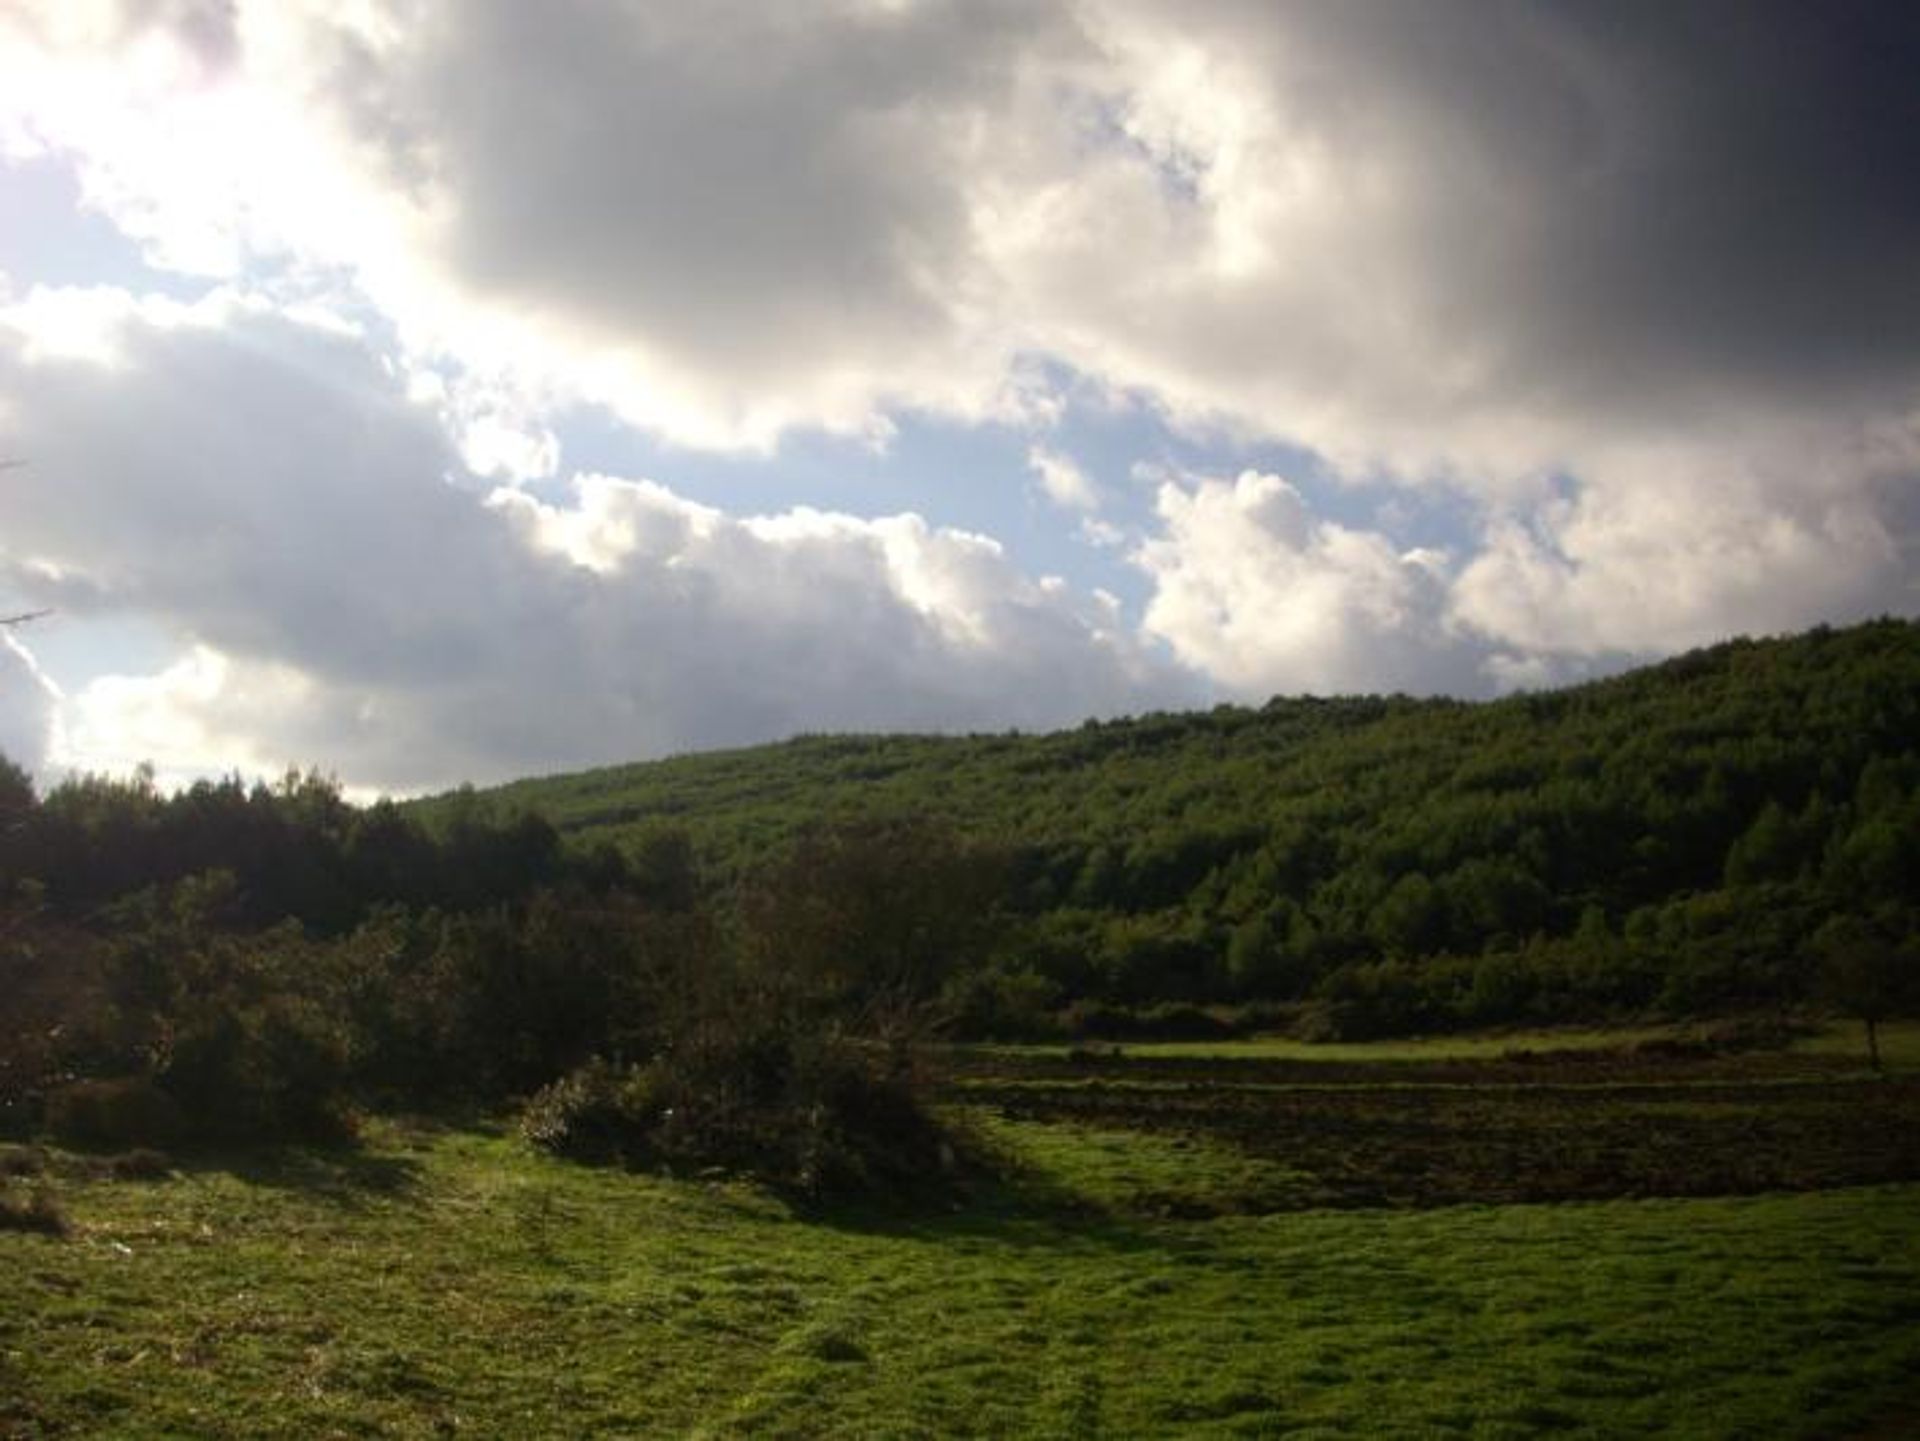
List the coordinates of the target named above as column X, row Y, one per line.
column 1184, row 1267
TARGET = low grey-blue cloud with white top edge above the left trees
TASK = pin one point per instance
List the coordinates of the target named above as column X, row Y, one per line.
column 347, row 596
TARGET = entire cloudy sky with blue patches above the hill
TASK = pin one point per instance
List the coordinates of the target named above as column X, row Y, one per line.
column 456, row 390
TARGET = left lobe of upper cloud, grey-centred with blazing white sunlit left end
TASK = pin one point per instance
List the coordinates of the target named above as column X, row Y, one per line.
column 721, row 222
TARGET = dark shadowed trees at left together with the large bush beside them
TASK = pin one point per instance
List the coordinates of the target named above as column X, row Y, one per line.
column 237, row 964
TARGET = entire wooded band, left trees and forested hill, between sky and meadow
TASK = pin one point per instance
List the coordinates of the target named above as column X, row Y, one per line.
column 1731, row 830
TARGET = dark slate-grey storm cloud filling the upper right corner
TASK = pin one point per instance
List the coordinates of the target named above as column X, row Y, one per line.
column 1633, row 199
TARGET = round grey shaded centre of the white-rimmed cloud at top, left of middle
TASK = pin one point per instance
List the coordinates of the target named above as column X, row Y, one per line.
column 738, row 189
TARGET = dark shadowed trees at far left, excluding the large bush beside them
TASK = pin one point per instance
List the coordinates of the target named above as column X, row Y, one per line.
column 268, row 951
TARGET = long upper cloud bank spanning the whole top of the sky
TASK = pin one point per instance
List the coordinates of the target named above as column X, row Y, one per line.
column 1454, row 237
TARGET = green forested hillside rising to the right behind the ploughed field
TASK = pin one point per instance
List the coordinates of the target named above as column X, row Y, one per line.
column 1673, row 838
